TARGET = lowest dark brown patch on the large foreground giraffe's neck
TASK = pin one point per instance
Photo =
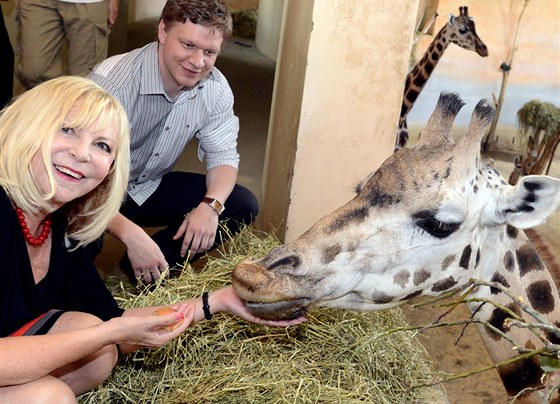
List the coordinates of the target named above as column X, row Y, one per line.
column 521, row 374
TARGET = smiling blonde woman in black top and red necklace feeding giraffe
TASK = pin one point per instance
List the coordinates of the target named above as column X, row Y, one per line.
column 64, row 165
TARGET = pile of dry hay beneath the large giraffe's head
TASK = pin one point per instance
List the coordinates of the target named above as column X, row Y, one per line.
column 336, row 356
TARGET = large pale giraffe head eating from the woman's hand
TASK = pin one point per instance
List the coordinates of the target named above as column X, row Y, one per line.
column 420, row 225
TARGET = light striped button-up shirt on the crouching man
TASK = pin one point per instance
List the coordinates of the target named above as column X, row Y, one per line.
column 160, row 126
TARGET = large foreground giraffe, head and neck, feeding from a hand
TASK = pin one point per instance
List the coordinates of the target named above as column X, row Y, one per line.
column 429, row 220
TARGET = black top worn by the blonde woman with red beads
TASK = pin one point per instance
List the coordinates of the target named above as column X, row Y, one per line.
column 71, row 284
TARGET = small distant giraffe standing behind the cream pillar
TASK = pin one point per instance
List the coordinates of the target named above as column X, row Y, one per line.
column 460, row 31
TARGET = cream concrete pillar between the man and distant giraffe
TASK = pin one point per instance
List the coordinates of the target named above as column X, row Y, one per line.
column 337, row 95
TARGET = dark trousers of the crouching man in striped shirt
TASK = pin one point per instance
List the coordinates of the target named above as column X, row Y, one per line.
column 178, row 194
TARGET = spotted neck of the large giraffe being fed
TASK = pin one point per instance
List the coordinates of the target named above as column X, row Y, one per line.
column 515, row 264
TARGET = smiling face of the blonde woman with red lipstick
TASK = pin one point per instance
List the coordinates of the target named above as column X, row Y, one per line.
column 81, row 159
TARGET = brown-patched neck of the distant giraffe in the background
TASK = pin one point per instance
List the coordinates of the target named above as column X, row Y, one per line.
column 419, row 75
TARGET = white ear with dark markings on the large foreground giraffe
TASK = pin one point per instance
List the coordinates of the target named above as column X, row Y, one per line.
column 531, row 201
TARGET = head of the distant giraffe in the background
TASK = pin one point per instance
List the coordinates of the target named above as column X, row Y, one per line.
column 462, row 32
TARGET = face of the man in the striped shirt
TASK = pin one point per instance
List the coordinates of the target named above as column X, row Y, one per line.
column 187, row 53
